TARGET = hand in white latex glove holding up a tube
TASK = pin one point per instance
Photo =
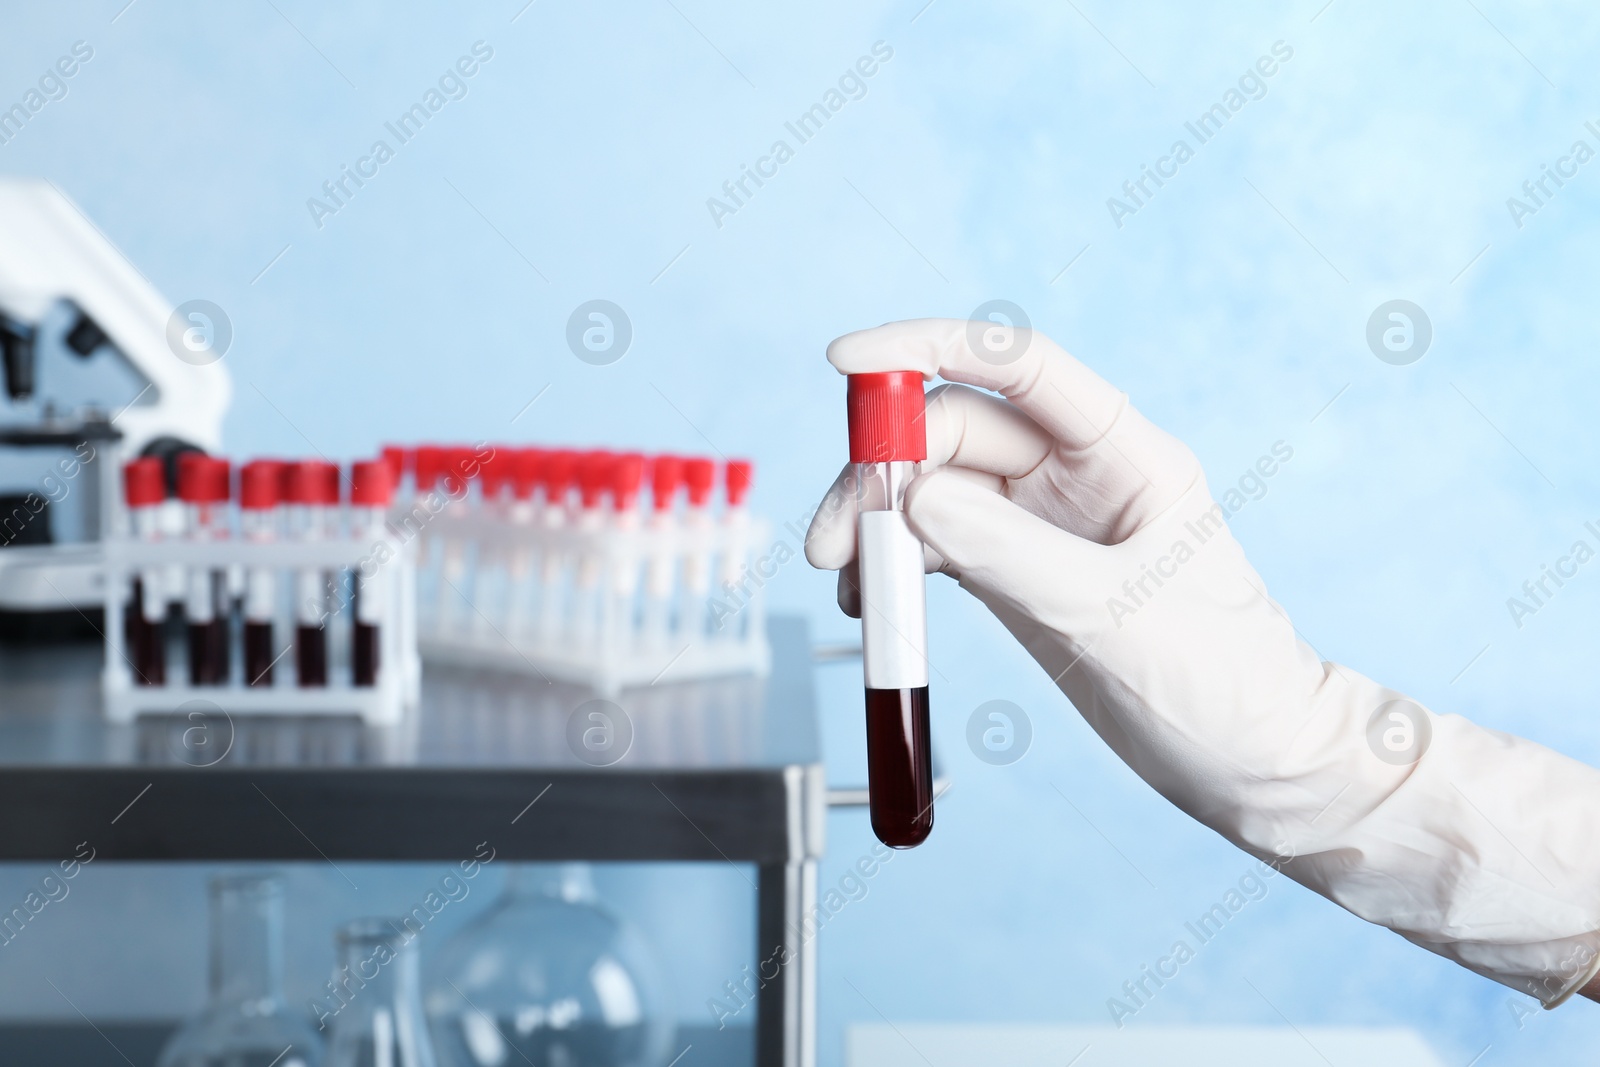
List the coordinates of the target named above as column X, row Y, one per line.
column 1092, row 537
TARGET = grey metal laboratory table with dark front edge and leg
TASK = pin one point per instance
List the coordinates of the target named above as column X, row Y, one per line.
column 719, row 772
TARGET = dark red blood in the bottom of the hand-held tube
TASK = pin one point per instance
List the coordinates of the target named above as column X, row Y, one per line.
column 900, row 767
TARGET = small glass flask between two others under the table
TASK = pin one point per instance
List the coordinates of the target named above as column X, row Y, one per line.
column 375, row 999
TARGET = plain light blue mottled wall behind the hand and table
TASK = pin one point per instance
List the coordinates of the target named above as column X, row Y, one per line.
column 977, row 167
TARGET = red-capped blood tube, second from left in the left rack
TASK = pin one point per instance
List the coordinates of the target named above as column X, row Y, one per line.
column 204, row 489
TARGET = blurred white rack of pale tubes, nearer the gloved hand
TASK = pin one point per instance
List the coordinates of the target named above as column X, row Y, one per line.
column 591, row 599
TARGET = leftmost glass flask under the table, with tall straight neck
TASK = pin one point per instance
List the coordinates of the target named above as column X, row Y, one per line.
column 247, row 1021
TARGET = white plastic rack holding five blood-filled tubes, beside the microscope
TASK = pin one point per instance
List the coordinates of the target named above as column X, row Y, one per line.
column 346, row 562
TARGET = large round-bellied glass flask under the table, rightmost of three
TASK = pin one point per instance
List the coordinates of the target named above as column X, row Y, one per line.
column 548, row 978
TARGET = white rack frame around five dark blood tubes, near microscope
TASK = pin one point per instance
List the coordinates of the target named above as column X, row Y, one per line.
column 386, row 565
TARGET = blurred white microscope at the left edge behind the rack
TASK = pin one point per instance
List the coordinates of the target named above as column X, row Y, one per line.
column 97, row 367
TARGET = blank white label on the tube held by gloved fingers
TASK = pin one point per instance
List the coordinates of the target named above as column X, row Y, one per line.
column 894, row 604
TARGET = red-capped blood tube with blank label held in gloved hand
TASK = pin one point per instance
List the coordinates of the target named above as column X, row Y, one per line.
column 887, row 442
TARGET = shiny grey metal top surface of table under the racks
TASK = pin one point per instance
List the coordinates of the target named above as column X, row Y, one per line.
column 468, row 719
